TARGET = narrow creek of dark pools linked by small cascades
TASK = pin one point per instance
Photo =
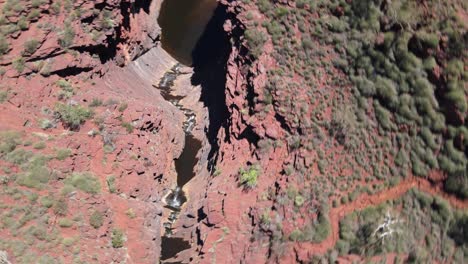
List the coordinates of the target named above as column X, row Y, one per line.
column 182, row 23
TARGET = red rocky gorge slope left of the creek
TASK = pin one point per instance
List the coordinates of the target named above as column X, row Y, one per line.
column 104, row 57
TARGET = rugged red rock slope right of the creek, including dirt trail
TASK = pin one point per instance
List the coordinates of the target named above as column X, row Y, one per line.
column 268, row 128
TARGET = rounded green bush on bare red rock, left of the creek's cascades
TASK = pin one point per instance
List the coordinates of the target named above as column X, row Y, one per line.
column 73, row 116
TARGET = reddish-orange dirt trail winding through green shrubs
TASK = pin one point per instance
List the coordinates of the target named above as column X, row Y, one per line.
column 305, row 250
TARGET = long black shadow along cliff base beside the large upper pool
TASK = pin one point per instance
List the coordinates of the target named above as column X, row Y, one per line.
column 210, row 57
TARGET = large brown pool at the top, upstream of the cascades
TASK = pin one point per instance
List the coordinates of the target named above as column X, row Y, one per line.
column 182, row 23
